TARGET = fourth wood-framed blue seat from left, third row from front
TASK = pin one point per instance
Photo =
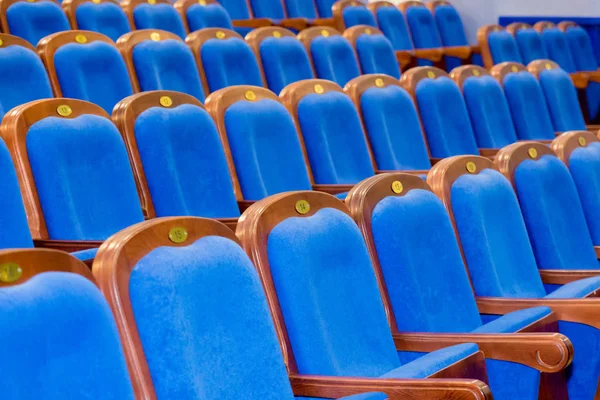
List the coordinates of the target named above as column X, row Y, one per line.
column 224, row 59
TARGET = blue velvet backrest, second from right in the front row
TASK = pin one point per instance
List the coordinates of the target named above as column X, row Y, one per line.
column 554, row 215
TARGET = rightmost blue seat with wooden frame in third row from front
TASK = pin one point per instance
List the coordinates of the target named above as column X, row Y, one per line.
column 374, row 51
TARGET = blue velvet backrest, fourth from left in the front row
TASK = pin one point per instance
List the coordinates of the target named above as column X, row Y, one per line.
column 424, row 274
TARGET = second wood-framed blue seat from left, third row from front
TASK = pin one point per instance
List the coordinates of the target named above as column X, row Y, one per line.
column 87, row 66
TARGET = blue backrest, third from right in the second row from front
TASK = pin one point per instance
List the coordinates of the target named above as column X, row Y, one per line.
column 488, row 109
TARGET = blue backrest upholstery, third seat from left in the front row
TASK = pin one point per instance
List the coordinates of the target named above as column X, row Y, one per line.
column 329, row 296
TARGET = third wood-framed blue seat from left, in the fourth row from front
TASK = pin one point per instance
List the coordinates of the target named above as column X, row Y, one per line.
column 154, row 14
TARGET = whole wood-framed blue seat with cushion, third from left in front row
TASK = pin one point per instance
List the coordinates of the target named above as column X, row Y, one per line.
column 324, row 296
